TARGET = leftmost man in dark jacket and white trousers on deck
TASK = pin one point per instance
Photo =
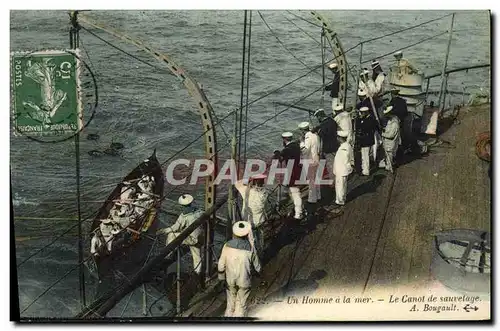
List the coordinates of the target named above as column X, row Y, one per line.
column 291, row 151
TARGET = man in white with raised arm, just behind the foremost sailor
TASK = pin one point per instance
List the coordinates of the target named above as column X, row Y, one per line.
column 255, row 197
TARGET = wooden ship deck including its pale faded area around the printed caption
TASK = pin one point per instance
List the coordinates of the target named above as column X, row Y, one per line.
column 382, row 243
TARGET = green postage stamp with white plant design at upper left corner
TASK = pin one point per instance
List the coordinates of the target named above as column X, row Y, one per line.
column 45, row 93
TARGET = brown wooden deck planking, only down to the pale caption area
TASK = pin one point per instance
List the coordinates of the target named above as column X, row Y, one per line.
column 419, row 205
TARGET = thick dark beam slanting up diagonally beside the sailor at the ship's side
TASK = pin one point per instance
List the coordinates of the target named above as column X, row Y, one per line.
column 124, row 289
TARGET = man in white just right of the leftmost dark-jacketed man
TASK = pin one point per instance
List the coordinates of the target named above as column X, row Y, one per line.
column 311, row 150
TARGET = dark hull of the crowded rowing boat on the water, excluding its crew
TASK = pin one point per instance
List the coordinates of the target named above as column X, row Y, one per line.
column 130, row 252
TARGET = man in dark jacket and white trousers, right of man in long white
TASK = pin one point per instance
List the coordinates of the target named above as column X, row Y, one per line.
column 366, row 125
